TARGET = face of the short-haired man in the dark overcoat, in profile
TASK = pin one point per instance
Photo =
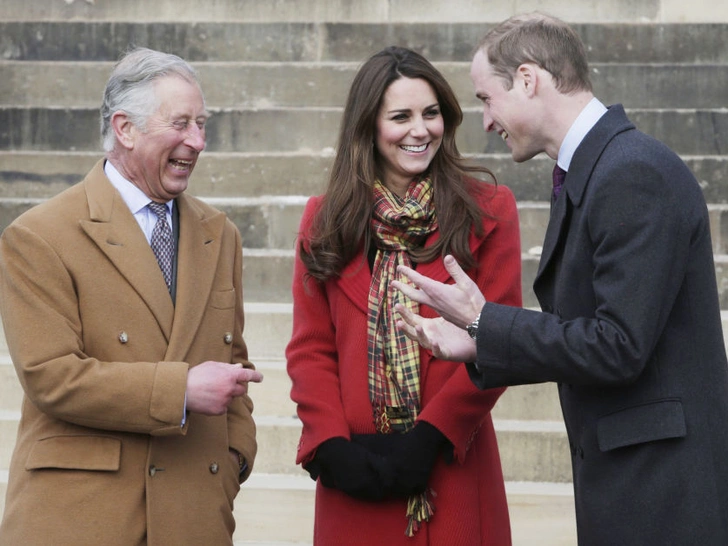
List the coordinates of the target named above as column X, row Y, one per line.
column 505, row 111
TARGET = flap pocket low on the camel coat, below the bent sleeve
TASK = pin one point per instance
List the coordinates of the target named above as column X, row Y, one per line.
column 80, row 452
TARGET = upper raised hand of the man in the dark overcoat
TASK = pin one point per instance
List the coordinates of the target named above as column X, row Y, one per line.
column 459, row 303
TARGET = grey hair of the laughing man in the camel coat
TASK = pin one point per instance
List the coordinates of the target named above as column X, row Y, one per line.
column 130, row 87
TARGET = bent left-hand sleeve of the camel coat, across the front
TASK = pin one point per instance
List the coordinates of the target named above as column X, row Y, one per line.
column 44, row 329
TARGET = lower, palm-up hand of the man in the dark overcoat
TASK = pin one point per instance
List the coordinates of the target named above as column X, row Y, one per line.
column 443, row 338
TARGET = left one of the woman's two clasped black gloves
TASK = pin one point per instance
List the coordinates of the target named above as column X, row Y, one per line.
column 352, row 469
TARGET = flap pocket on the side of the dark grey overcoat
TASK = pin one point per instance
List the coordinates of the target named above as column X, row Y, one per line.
column 649, row 422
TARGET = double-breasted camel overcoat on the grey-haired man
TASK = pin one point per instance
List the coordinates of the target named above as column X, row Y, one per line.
column 102, row 354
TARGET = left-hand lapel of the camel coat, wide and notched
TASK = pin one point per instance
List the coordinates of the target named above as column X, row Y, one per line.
column 115, row 231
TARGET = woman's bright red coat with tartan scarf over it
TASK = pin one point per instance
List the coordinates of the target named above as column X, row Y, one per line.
column 327, row 363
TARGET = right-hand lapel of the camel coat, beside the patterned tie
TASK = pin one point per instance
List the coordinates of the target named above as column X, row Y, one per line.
column 200, row 239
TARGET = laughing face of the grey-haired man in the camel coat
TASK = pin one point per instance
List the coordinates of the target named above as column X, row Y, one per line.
column 163, row 156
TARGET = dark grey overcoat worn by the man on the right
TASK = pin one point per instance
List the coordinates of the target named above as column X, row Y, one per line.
column 631, row 332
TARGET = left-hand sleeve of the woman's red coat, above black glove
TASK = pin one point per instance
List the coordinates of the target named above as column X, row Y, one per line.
column 312, row 359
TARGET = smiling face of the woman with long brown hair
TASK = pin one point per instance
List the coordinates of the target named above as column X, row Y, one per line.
column 409, row 132
